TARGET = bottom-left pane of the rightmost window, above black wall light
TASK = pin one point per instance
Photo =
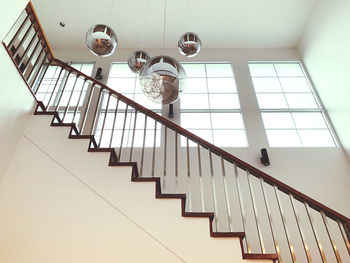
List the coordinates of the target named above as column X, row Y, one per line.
column 283, row 138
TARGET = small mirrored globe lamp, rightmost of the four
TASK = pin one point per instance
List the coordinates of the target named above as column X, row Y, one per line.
column 189, row 44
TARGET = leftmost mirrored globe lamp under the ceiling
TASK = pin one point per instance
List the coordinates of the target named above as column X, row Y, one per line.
column 101, row 40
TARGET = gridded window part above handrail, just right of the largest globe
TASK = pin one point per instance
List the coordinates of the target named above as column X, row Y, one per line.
column 210, row 106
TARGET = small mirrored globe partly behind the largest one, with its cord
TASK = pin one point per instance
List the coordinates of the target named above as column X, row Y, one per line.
column 138, row 58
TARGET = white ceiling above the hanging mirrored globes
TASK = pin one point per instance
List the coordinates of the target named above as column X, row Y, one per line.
column 219, row 23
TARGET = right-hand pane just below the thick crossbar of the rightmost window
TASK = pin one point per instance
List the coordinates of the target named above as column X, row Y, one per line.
column 309, row 120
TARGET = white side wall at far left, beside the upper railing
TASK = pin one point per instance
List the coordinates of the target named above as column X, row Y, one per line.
column 16, row 101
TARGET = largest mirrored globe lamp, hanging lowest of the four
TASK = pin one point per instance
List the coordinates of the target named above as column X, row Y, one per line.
column 162, row 79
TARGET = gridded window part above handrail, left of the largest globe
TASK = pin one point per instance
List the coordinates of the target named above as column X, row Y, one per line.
column 124, row 81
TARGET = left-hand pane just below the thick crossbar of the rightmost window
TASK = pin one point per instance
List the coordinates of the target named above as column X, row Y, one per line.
column 278, row 120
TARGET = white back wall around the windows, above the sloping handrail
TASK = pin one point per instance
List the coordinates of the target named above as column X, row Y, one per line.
column 321, row 173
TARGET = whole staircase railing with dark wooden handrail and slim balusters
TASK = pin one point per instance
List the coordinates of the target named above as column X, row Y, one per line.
column 275, row 218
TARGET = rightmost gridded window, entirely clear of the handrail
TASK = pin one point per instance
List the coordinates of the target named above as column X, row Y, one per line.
column 290, row 111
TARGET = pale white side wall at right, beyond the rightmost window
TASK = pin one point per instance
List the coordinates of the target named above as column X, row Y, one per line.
column 324, row 48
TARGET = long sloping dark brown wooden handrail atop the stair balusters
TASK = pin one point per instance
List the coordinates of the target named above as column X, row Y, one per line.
column 214, row 149
